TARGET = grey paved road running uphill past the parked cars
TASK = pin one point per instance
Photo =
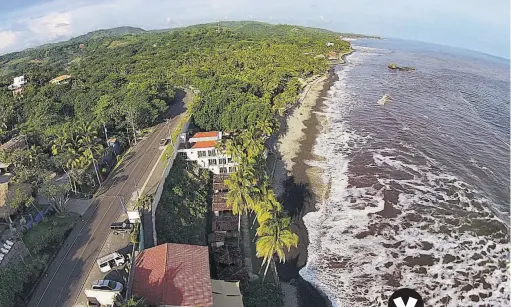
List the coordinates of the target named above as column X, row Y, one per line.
column 69, row 270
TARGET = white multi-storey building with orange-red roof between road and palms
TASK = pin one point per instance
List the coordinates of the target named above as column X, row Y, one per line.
column 201, row 148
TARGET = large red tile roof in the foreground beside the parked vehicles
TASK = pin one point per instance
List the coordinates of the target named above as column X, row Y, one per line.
column 174, row 274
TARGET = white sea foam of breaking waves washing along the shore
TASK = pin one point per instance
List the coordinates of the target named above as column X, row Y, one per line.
column 432, row 243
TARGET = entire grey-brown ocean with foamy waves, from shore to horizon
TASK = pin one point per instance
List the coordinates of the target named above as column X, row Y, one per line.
column 418, row 187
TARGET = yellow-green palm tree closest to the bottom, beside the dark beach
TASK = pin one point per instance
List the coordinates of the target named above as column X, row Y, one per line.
column 275, row 237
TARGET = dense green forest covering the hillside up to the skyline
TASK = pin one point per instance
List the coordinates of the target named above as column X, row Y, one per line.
column 245, row 73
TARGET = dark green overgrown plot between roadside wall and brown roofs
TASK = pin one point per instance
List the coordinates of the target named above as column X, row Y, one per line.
column 181, row 216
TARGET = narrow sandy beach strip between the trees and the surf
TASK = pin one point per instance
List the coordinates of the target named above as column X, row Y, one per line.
column 299, row 185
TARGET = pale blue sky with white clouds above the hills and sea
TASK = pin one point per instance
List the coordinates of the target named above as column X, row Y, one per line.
column 482, row 26
